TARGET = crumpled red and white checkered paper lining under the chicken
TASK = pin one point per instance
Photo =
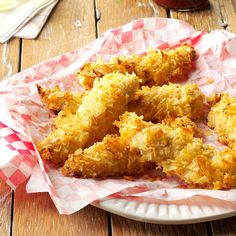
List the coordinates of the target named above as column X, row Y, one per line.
column 23, row 117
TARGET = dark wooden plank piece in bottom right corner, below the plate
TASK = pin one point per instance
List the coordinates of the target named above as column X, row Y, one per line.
column 225, row 227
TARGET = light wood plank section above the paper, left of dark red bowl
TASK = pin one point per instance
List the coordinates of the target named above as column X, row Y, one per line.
column 119, row 12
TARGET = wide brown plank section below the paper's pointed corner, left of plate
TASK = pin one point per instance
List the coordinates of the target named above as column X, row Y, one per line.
column 35, row 214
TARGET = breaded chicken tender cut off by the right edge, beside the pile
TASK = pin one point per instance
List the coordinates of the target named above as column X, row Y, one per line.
column 222, row 117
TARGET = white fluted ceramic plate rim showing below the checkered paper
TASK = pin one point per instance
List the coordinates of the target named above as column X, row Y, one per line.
column 191, row 210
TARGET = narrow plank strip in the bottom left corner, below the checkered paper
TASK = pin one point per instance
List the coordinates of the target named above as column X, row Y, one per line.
column 5, row 209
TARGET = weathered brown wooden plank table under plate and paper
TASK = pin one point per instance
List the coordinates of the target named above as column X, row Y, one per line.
column 35, row 214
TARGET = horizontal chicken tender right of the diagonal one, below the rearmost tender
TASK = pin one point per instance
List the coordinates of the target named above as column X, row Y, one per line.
column 169, row 101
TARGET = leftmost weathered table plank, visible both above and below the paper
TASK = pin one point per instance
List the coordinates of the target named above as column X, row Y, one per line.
column 9, row 53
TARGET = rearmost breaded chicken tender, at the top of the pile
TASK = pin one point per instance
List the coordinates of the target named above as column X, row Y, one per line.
column 156, row 68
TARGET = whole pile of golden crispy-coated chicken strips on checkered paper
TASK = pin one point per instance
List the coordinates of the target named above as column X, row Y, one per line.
column 133, row 117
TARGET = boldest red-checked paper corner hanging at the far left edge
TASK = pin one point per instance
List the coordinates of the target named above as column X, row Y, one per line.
column 18, row 156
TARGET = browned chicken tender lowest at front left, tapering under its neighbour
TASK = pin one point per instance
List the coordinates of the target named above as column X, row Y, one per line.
column 109, row 158
